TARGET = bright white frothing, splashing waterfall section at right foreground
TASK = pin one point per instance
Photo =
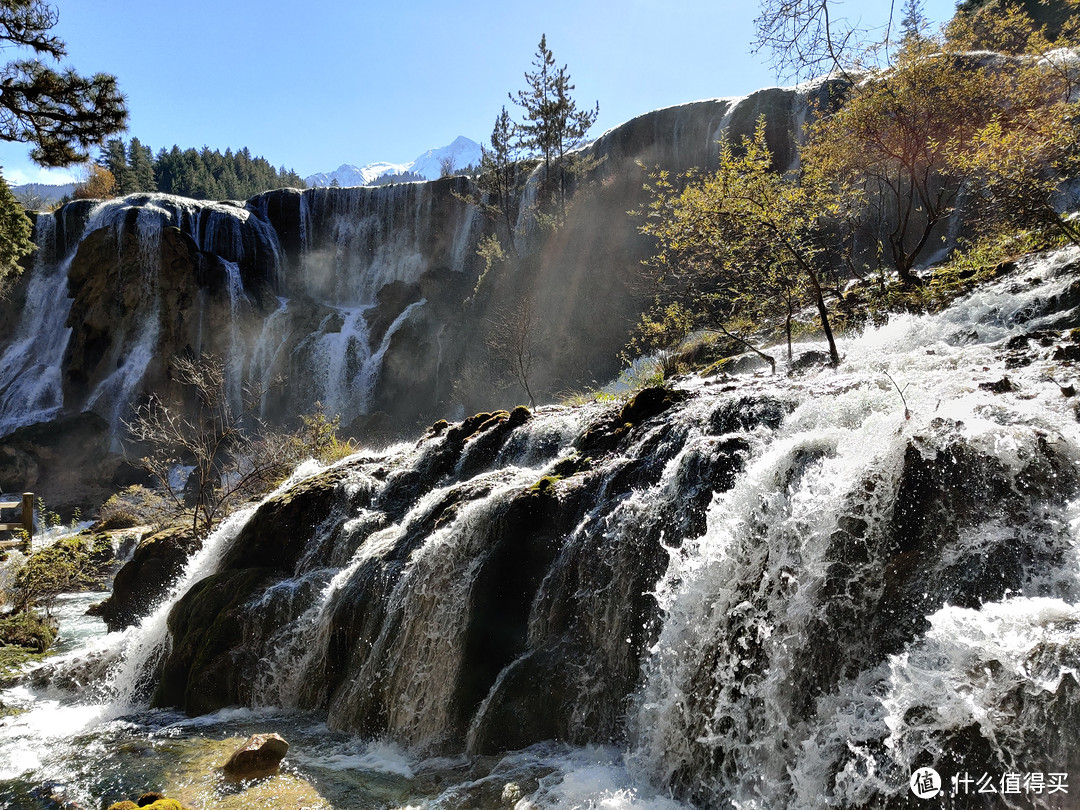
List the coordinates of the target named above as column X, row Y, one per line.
column 805, row 606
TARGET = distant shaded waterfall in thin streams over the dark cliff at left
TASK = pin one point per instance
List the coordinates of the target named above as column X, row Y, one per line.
column 159, row 276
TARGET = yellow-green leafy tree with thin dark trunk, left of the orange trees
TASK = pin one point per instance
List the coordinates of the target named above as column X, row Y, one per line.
column 737, row 246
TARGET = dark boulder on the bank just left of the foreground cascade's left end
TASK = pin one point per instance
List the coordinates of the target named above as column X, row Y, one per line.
column 145, row 579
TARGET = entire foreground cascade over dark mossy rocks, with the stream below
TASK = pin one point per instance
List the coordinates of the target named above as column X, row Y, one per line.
column 750, row 593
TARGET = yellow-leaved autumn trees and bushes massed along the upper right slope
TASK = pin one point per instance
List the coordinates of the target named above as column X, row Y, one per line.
column 947, row 151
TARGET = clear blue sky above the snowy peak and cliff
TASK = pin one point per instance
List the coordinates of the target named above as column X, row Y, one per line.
column 328, row 83
